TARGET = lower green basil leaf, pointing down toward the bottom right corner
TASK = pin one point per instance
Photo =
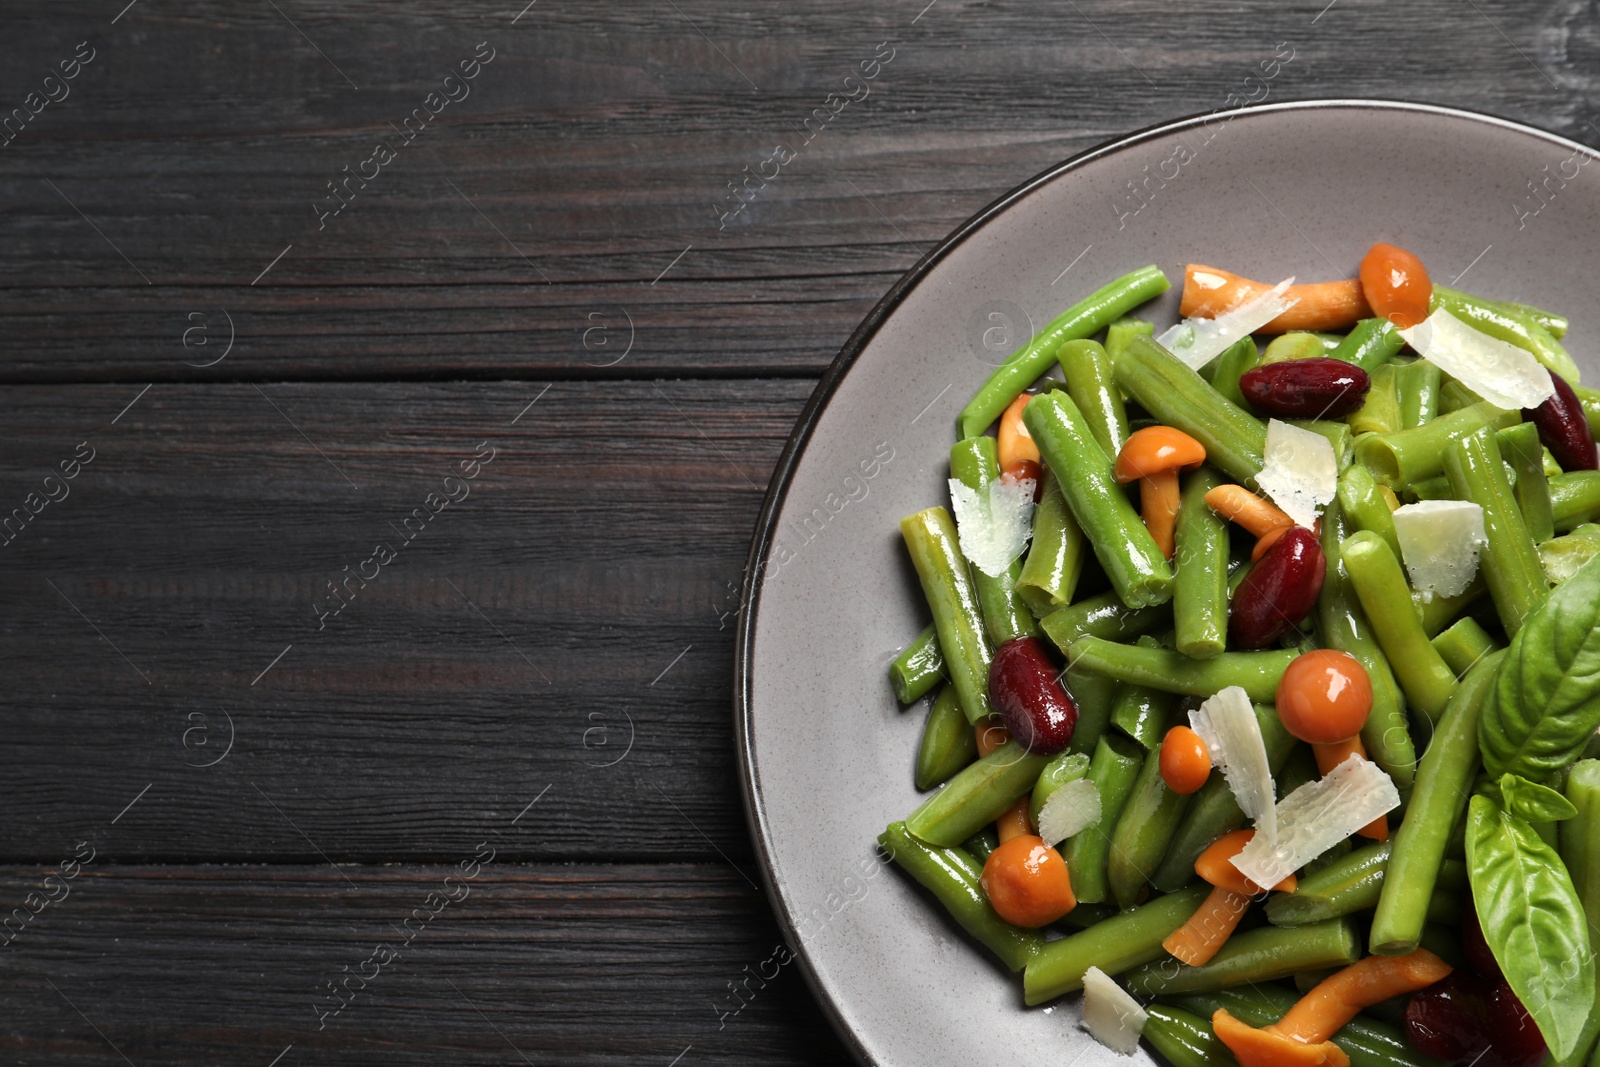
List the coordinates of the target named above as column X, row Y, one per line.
column 1534, row 922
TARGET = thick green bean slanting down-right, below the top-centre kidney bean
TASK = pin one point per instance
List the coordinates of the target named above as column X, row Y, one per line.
column 1180, row 398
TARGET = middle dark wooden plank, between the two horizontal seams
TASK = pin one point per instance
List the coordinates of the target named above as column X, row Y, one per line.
column 586, row 581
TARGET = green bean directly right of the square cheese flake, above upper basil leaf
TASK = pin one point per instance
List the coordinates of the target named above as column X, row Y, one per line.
column 1511, row 562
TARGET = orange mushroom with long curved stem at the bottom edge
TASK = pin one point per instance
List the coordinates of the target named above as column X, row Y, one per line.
column 1303, row 1037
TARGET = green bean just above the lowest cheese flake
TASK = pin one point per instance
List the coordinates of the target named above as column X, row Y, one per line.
column 1121, row 943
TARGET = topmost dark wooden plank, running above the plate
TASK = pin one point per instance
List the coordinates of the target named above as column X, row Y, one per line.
column 594, row 151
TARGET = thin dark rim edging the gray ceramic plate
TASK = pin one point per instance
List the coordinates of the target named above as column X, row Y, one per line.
column 806, row 425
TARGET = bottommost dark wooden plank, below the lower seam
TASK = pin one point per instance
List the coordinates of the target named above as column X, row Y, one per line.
column 522, row 964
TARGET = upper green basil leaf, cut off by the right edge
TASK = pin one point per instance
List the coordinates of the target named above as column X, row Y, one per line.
column 1546, row 700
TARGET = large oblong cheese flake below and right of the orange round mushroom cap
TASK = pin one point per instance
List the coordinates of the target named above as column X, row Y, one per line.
column 1318, row 817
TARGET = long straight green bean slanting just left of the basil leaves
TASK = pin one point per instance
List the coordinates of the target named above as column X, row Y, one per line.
column 1438, row 802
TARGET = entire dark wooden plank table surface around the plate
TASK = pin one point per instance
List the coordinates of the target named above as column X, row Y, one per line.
column 380, row 639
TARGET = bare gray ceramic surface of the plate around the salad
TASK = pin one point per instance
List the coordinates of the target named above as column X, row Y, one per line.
column 1294, row 190
